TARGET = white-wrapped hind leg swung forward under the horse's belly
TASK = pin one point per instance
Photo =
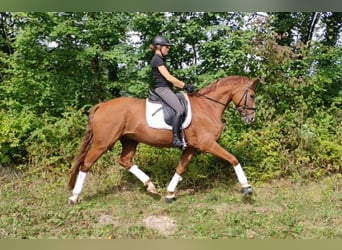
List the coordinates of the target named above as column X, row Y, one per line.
column 126, row 160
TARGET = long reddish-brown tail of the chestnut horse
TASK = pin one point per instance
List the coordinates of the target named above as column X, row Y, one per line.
column 85, row 146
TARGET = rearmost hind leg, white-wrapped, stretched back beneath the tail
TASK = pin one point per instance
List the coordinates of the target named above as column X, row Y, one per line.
column 93, row 154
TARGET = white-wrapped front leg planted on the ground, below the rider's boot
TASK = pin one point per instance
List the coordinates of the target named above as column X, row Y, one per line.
column 183, row 163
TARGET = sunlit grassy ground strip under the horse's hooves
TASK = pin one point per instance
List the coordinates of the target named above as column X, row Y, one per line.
column 115, row 206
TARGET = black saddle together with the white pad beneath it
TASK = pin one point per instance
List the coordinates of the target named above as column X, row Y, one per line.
column 160, row 115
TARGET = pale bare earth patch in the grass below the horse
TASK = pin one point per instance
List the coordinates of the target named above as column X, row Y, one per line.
column 163, row 224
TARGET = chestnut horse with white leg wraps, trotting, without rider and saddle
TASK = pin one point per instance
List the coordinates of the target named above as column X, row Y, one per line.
column 123, row 119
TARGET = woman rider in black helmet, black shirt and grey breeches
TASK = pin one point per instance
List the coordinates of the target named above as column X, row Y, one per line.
column 164, row 82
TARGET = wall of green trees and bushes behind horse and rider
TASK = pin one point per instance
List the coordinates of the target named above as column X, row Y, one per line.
column 55, row 66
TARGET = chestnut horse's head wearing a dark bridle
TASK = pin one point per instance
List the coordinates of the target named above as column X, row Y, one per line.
column 244, row 99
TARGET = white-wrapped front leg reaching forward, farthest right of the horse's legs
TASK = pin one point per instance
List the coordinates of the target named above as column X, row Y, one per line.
column 218, row 151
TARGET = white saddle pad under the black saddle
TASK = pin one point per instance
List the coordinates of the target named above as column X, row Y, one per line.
column 155, row 115
